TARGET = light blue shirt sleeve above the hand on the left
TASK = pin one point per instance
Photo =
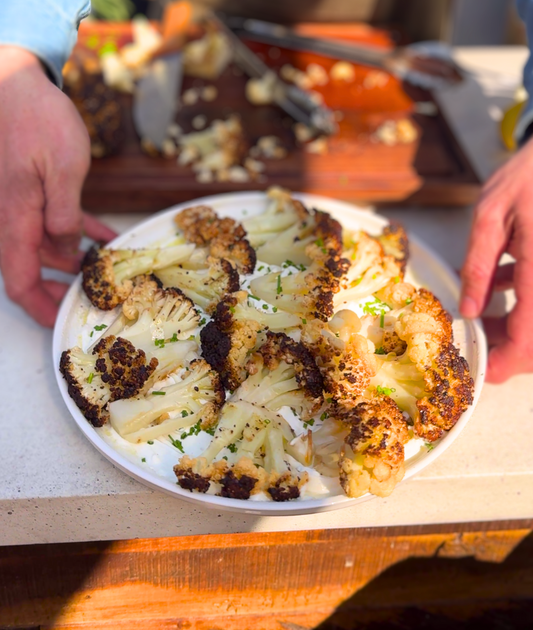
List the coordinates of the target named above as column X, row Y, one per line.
column 47, row 28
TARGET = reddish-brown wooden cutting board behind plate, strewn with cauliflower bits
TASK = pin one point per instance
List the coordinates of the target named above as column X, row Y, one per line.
column 432, row 170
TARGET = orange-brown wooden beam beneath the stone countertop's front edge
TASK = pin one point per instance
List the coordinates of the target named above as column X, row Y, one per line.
column 255, row 580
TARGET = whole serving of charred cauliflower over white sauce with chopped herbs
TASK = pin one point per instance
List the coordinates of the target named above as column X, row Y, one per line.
column 277, row 358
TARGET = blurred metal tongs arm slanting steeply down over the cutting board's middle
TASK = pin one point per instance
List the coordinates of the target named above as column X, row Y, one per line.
column 293, row 100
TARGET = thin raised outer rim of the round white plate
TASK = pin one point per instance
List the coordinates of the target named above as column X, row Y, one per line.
column 261, row 508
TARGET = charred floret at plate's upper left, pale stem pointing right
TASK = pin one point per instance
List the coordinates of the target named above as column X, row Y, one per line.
column 108, row 273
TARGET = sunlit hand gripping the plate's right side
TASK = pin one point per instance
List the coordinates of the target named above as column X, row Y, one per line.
column 503, row 222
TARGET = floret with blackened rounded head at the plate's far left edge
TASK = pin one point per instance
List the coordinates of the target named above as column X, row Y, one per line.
column 115, row 369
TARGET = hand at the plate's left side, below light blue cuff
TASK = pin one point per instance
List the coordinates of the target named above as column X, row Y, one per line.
column 44, row 158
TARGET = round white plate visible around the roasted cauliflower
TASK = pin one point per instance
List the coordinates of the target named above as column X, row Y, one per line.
column 426, row 268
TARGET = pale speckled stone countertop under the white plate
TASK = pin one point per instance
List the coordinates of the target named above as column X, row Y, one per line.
column 55, row 487
